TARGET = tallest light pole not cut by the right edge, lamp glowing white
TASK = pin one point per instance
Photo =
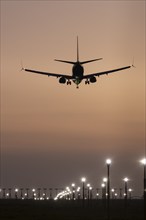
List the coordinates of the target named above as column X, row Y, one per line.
column 108, row 162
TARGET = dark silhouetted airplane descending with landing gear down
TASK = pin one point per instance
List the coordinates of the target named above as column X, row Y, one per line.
column 77, row 72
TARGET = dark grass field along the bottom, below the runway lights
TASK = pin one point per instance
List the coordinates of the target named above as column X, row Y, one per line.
column 70, row 210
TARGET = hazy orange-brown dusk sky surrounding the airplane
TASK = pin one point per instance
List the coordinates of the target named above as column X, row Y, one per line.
column 53, row 134
